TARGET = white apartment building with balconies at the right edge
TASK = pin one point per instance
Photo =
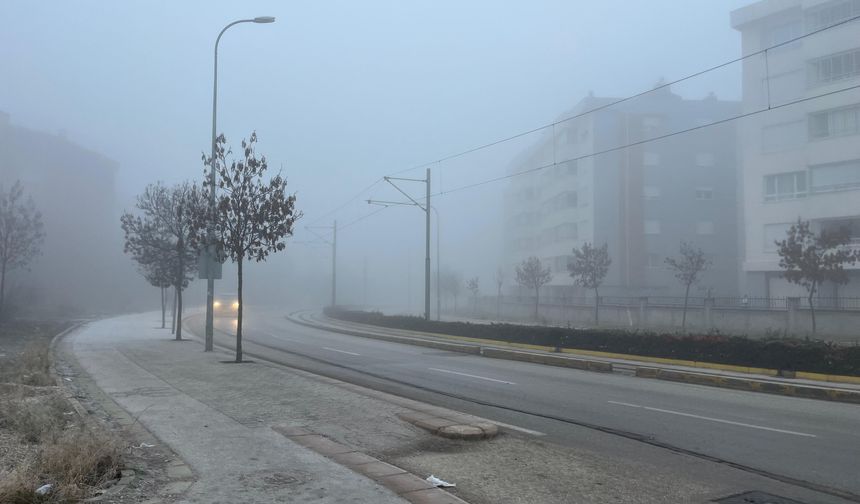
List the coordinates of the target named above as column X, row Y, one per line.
column 799, row 147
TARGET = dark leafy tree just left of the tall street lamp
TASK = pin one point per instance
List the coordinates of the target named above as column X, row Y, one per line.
column 165, row 239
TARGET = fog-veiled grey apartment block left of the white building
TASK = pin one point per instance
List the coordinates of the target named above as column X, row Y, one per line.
column 642, row 201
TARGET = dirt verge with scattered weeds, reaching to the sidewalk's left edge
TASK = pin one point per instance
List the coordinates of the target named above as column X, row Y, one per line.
column 37, row 418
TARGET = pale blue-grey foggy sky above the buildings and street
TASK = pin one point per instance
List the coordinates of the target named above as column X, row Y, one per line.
column 342, row 93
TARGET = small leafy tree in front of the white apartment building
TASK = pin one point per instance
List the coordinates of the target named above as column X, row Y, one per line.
column 810, row 260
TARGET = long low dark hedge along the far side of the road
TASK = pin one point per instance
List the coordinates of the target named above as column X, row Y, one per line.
column 785, row 354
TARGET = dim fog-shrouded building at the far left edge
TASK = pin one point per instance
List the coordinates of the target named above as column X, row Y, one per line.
column 81, row 262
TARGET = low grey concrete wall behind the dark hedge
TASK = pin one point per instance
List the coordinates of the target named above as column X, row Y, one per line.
column 796, row 321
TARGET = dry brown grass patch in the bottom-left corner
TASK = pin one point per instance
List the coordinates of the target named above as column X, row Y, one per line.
column 43, row 440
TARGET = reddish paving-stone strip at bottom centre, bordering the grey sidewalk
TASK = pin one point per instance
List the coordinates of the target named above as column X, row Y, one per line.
column 406, row 485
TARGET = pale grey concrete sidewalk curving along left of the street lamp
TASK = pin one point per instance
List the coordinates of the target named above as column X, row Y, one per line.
column 208, row 413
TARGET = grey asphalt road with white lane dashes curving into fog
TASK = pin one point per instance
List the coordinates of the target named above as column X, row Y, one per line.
column 814, row 442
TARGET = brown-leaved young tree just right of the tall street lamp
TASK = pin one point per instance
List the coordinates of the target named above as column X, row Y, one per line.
column 252, row 216
